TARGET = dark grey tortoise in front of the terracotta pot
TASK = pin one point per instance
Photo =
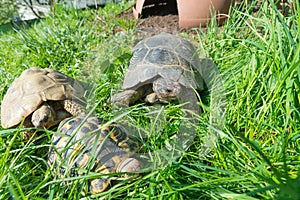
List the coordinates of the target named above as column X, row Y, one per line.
column 163, row 68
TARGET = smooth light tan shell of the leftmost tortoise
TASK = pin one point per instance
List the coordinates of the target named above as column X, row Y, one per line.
column 32, row 88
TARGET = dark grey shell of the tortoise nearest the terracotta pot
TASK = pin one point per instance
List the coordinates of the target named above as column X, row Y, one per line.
column 166, row 56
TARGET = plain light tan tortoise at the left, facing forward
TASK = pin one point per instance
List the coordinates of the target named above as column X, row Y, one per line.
column 43, row 97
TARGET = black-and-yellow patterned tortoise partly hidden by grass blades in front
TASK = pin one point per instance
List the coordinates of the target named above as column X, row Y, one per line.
column 85, row 144
